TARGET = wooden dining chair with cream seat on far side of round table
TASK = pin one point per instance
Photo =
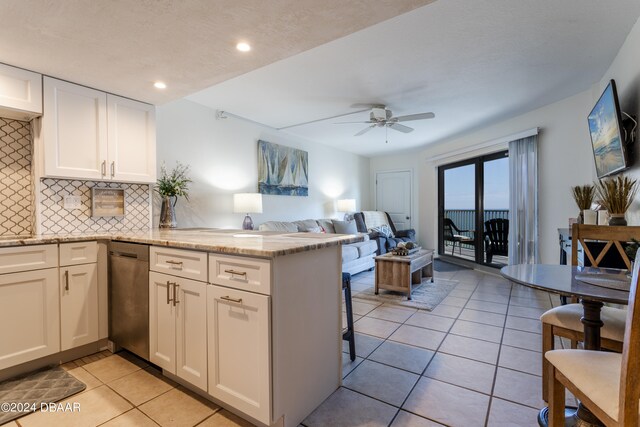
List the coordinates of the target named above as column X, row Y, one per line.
column 564, row 321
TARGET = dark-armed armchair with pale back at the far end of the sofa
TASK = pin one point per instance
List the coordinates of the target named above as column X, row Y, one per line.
column 366, row 221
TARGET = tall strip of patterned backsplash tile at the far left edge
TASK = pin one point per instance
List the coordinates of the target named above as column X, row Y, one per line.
column 16, row 180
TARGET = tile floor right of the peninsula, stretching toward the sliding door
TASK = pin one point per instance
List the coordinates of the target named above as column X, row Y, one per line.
column 475, row 360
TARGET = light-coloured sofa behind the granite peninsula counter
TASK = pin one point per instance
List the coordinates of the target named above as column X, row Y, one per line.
column 356, row 257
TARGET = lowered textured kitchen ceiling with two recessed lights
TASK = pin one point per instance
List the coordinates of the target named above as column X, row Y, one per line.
column 123, row 46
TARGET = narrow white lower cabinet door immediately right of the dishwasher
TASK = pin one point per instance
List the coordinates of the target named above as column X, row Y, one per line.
column 162, row 321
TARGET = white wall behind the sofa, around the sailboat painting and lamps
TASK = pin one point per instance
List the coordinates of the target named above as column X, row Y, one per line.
column 222, row 155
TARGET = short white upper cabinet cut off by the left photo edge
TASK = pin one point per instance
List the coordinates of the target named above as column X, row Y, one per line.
column 20, row 93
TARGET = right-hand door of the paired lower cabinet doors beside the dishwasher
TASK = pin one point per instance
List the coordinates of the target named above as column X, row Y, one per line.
column 191, row 331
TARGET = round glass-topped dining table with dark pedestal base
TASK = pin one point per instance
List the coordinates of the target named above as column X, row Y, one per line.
column 561, row 279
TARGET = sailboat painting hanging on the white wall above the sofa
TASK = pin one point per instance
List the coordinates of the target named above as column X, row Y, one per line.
column 282, row 170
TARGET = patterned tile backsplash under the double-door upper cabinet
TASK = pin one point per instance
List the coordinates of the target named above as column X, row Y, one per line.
column 57, row 219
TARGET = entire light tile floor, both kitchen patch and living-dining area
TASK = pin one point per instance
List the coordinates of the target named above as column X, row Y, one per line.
column 473, row 361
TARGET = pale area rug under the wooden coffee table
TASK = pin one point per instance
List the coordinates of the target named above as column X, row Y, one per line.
column 425, row 296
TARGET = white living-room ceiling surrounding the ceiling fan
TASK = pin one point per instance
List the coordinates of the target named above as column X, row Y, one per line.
column 471, row 62
